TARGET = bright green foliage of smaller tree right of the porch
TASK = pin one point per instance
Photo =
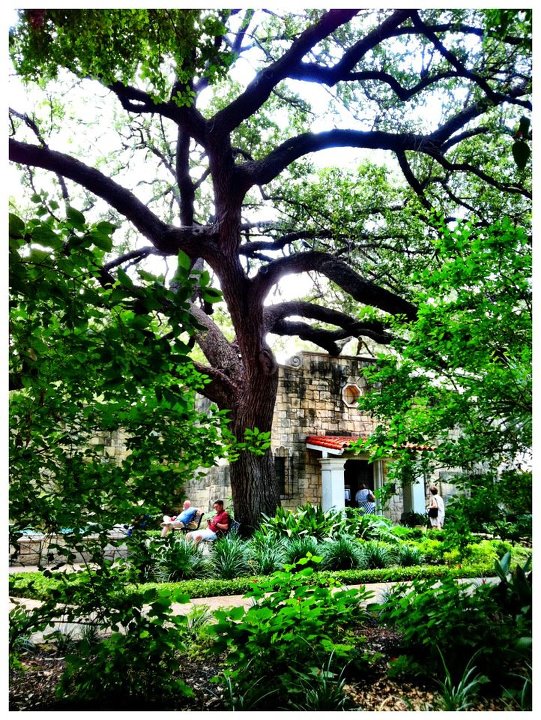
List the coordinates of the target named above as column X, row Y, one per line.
column 460, row 381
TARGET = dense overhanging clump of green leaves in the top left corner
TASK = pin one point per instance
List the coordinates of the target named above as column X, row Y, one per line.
column 93, row 44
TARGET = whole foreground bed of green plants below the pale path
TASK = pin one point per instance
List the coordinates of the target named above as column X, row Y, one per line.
column 334, row 639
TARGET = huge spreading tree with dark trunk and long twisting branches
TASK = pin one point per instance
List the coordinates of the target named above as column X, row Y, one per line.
column 227, row 110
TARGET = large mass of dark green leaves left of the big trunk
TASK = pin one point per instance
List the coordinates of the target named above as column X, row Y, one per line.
column 86, row 361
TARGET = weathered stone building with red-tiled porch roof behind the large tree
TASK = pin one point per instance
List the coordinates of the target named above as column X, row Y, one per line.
column 316, row 418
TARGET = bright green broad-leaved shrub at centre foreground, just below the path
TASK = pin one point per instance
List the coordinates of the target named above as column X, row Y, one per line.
column 292, row 628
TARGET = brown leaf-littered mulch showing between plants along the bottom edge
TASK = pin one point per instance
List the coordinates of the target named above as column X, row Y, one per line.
column 34, row 687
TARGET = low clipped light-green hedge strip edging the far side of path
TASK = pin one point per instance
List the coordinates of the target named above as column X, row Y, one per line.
column 37, row 586
